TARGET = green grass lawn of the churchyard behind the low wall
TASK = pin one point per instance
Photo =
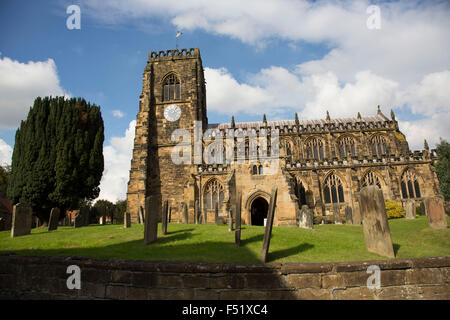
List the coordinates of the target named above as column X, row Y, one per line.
column 188, row 242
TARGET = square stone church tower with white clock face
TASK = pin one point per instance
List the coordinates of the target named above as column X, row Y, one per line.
column 173, row 97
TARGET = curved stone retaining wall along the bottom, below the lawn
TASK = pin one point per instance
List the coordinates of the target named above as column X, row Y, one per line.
column 42, row 277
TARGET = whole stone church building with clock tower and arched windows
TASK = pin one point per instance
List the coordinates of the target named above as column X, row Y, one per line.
column 321, row 163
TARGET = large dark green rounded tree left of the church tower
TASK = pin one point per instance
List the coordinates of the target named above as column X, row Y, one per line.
column 58, row 155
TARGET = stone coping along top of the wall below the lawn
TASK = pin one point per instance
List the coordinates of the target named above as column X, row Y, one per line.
column 213, row 267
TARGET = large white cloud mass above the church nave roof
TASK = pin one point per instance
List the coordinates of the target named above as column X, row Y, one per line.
column 405, row 64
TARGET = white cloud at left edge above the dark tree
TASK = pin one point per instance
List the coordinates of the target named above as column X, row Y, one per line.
column 20, row 84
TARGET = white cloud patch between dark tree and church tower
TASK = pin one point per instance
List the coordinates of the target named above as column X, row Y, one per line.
column 117, row 155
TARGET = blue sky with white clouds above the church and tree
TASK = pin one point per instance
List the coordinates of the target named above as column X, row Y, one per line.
column 273, row 57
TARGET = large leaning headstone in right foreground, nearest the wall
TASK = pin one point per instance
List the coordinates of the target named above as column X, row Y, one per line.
column 375, row 223
